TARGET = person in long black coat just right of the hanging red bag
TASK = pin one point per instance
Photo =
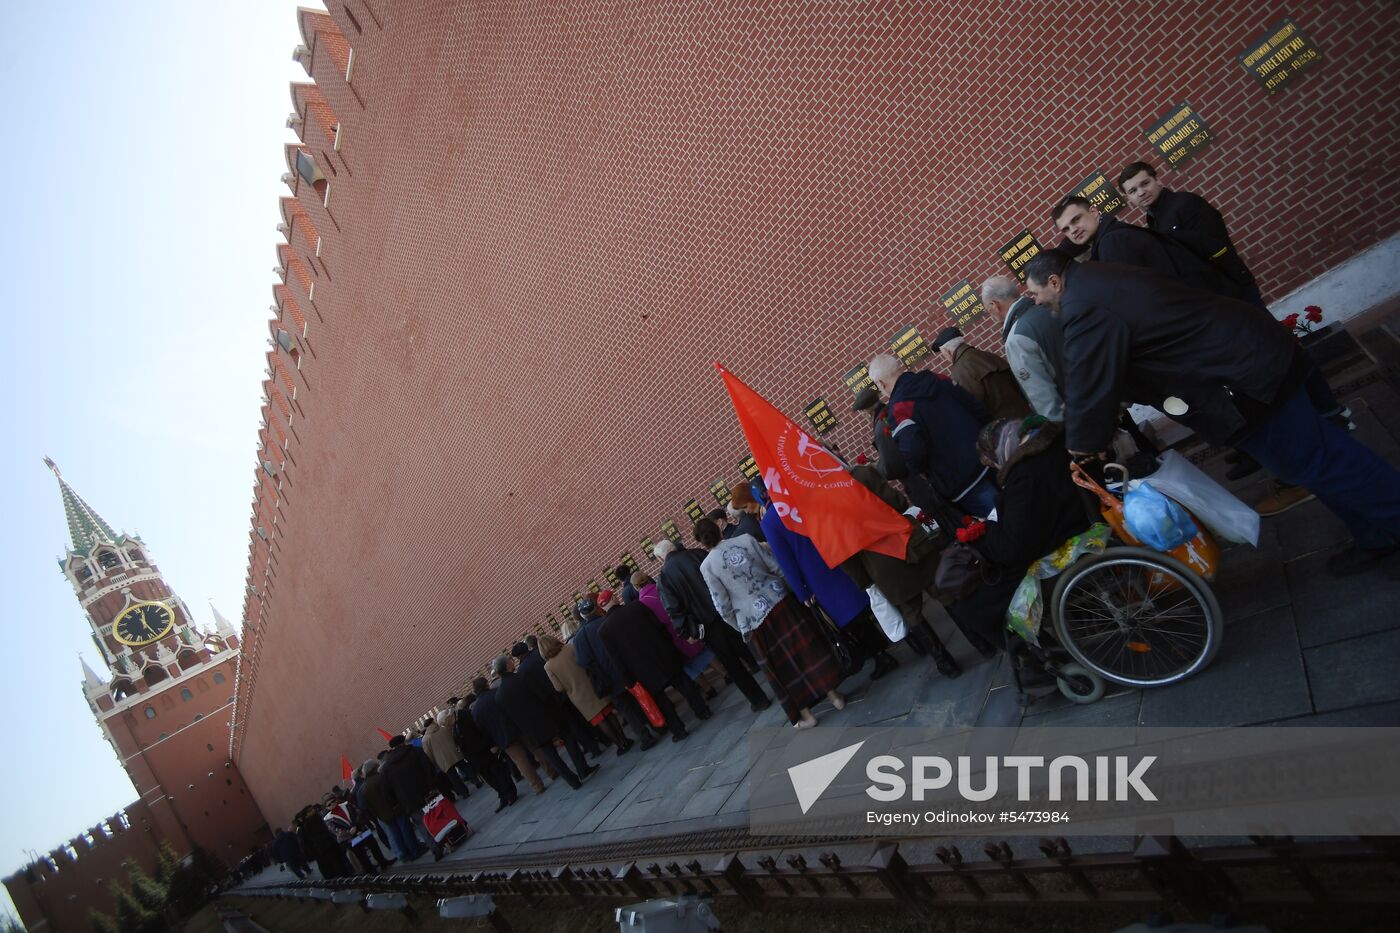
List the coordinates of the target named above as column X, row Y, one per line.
column 640, row 654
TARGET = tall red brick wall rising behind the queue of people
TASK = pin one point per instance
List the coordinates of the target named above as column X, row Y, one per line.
column 548, row 219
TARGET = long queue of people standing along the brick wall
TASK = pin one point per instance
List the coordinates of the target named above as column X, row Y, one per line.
column 1164, row 315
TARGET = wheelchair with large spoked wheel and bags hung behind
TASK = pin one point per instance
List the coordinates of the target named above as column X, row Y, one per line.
column 1116, row 611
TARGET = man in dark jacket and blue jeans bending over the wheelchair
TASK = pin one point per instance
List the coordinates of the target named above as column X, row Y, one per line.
column 1220, row 368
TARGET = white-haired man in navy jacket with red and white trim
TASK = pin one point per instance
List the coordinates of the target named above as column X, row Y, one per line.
column 936, row 425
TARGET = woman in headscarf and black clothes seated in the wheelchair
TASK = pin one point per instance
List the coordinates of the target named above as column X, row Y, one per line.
column 1038, row 509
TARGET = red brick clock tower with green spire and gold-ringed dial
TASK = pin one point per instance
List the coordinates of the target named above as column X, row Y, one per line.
column 167, row 707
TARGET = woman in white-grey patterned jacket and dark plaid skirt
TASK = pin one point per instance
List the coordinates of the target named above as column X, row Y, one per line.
column 750, row 593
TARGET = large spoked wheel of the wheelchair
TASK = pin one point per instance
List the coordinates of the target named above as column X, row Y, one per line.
column 1137, row 617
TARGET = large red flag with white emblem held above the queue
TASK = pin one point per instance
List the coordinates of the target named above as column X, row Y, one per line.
column 811, row 490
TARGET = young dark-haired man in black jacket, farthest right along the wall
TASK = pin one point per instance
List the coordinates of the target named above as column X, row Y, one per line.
column 1192, row 221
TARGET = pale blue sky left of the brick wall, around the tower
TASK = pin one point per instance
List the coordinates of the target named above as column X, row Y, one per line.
column 143, row 153
